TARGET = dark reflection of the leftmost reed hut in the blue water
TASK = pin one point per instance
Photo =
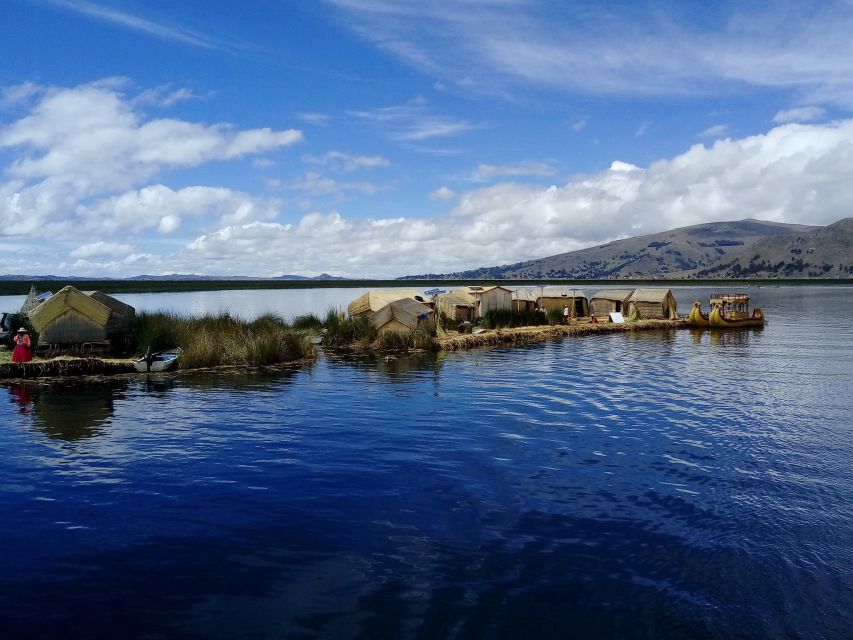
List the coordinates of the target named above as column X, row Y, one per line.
column 75, row 411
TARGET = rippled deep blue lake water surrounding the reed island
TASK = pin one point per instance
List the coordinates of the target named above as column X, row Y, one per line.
column 672, row 484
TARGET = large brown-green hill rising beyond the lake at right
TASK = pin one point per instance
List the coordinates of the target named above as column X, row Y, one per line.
column 742, row 249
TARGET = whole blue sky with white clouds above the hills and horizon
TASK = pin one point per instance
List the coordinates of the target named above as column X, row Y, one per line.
column 380, row 138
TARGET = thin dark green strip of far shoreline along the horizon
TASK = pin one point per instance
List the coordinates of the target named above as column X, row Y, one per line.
column 22, row 287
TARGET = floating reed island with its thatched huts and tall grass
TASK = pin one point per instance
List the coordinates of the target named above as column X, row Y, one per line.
column 88, row 333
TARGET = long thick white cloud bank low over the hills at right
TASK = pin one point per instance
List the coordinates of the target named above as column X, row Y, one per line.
column 794, row 173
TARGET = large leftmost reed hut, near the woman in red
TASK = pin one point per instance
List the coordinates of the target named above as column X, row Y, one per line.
column 73, row 317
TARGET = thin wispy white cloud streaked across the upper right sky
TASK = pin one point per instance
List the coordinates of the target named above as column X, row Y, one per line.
column 804, row 47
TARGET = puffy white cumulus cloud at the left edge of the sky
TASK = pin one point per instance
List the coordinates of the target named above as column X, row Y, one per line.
column 77, row 145
